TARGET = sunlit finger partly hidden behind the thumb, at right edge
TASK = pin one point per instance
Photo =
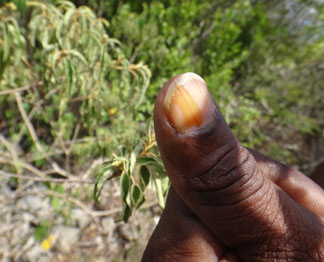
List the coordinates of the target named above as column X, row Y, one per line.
column 298, row 186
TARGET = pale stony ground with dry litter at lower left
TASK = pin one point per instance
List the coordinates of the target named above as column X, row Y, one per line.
column 41, row 225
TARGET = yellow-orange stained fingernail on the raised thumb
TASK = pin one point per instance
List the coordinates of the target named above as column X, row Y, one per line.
column 188, row 103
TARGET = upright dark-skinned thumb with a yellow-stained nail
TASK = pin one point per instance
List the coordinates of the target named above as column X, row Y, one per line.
column 218, row 179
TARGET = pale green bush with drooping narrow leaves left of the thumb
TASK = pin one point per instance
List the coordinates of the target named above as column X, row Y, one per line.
column 68, row 94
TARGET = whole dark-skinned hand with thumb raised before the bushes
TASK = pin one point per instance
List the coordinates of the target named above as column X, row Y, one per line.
column 227, row 203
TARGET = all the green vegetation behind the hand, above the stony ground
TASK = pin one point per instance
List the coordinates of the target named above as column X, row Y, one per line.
column 78, row 81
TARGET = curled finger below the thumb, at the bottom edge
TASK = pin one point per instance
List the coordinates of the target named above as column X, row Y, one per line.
column 180, row 236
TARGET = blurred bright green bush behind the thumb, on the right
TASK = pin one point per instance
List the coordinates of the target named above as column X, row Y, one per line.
column 262, row 67
